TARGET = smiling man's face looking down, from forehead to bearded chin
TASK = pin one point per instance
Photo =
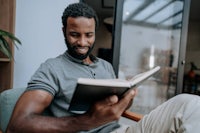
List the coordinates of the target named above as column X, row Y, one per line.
column 80, row 36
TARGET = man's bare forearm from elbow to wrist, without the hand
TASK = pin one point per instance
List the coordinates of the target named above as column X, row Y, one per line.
column 46, row 124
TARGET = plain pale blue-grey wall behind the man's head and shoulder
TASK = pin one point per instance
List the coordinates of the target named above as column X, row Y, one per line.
column 38, row 26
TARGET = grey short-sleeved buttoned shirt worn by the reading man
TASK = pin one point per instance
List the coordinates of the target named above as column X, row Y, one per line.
column 59, row 76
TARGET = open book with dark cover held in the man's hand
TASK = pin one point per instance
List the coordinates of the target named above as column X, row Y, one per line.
column 89, row 91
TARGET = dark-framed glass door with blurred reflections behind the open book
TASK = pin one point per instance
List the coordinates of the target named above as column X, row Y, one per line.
column 150, row 34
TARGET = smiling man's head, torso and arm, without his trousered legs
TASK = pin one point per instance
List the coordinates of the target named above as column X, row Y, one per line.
column 54, row 82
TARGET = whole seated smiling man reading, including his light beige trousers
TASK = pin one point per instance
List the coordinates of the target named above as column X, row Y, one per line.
column 54, row 82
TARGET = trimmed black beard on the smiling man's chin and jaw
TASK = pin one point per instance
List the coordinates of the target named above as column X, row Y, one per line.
column 73, row 53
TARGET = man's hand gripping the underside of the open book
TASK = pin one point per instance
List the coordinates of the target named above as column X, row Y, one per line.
column 109, row 109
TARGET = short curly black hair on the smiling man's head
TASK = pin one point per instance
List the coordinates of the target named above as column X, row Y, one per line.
column 79, row 10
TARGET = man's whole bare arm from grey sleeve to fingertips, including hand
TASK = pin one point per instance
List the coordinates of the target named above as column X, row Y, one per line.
column 27, row 115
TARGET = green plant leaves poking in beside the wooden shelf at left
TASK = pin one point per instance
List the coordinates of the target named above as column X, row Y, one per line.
column 4, row 43
